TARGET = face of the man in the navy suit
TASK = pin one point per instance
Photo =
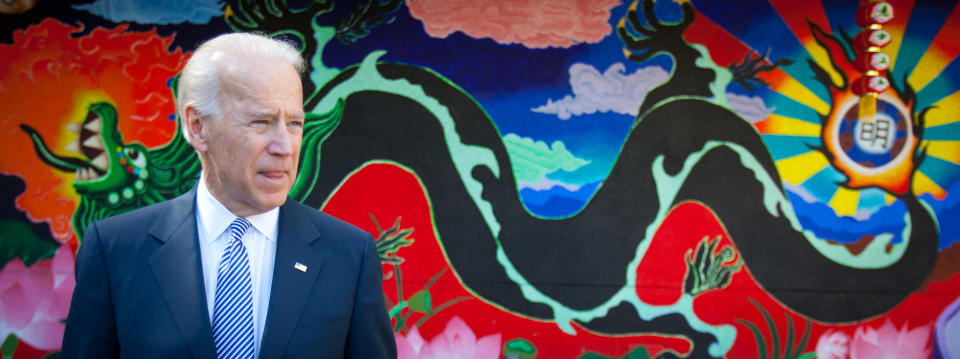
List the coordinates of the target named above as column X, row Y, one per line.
column 253, row 148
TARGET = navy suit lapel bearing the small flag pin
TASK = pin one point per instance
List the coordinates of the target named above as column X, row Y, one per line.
column 291, row 285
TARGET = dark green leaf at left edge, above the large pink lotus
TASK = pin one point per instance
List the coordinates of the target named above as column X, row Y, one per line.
column 18, row 240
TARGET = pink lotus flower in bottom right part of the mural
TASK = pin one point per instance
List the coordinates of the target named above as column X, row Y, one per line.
column 890, row 342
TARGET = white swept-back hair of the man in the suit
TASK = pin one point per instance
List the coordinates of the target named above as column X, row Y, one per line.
column 200, row 80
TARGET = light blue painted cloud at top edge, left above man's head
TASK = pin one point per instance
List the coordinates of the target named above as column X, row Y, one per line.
column 156, row 12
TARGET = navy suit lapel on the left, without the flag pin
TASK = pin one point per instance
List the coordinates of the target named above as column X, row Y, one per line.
column 176, row 264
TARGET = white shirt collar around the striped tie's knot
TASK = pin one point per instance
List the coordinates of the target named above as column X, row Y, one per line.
column 214, row 218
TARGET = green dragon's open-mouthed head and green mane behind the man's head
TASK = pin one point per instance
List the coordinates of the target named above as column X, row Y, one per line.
column 114, row 176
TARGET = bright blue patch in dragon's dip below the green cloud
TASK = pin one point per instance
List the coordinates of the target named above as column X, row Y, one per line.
column 557, row 202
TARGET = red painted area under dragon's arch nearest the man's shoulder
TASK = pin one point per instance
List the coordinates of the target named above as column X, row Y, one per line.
column 390, row 192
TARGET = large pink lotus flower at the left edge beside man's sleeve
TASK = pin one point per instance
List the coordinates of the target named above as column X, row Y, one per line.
column 34, row 301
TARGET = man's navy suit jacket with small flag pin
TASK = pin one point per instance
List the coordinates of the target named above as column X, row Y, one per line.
column 140, row 292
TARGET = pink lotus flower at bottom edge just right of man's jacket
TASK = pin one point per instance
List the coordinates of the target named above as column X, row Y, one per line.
column 456, row 341
